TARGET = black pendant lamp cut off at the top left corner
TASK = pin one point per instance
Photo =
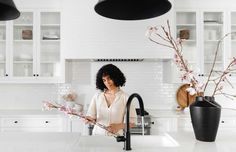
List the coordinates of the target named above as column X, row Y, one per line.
column 8, row 10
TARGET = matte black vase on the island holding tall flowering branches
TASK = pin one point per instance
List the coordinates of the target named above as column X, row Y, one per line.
column 205, row 118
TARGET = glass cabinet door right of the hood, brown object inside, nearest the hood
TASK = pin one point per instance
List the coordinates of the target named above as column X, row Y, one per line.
column 186, row 26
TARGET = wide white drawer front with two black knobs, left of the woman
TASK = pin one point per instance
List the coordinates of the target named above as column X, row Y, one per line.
column 31, row 122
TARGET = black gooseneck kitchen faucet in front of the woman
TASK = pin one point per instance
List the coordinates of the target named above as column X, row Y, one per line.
column 126, row 137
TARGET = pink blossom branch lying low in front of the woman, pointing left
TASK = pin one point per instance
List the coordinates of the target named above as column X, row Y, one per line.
column 70, row 111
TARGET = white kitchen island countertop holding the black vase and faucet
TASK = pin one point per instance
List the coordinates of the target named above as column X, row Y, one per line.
column 74, row 142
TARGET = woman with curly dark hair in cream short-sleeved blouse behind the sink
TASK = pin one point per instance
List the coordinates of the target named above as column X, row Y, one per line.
column 108, row 106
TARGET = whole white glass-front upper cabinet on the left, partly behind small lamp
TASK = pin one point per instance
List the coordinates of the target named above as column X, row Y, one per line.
column 30, row 48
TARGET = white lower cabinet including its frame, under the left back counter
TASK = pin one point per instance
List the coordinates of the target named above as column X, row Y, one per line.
column 33, row 124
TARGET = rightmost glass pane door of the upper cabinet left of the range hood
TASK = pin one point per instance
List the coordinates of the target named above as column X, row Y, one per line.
column 49, row 53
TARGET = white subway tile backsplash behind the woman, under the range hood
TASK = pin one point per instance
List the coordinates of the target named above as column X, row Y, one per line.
column 144, row 78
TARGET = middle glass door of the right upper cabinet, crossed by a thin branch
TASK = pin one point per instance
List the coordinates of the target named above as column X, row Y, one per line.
column 213, row 30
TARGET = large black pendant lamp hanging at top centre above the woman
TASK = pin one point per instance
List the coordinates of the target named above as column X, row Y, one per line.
column 132, row 9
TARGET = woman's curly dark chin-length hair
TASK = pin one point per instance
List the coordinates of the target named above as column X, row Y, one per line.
column 115, row 74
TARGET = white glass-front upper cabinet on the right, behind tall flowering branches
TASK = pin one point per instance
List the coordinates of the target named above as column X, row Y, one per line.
column 205, row 28
